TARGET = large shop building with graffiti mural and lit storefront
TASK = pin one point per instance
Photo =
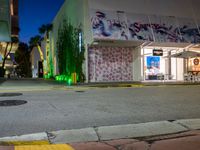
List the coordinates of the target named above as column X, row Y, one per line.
column 133, row 40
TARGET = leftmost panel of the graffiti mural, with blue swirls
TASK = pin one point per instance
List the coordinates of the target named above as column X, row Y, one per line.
column 109, row 26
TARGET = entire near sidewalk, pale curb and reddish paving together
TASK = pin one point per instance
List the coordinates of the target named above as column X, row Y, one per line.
column 163, row 135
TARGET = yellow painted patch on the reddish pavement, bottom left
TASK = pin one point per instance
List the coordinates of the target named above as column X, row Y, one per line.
column 45, row 147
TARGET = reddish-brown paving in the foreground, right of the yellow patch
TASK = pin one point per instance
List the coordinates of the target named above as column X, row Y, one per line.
column 183, row 141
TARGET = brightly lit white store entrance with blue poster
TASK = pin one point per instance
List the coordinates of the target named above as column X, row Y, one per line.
column 160, row 66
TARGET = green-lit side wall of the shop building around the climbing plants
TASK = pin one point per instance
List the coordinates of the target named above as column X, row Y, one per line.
column 77, row 13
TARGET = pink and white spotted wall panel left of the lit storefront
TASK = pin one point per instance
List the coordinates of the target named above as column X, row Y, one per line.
column 110, row 64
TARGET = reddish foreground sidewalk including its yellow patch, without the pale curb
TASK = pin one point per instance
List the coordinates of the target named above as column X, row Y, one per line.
column 182, row 141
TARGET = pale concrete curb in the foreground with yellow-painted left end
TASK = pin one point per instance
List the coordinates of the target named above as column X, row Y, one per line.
column 94, row 134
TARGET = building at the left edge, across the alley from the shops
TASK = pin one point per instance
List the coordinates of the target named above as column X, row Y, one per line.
column 9, row 29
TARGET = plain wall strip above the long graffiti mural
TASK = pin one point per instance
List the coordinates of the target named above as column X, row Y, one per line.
column 179, row 8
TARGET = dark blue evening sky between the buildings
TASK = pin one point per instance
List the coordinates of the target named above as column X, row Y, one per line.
column 34, row 13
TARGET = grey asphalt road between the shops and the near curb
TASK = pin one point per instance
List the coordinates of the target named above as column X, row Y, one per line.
column 54, row 107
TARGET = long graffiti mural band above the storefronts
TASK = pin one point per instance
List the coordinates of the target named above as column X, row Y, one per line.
column 127, row 26
